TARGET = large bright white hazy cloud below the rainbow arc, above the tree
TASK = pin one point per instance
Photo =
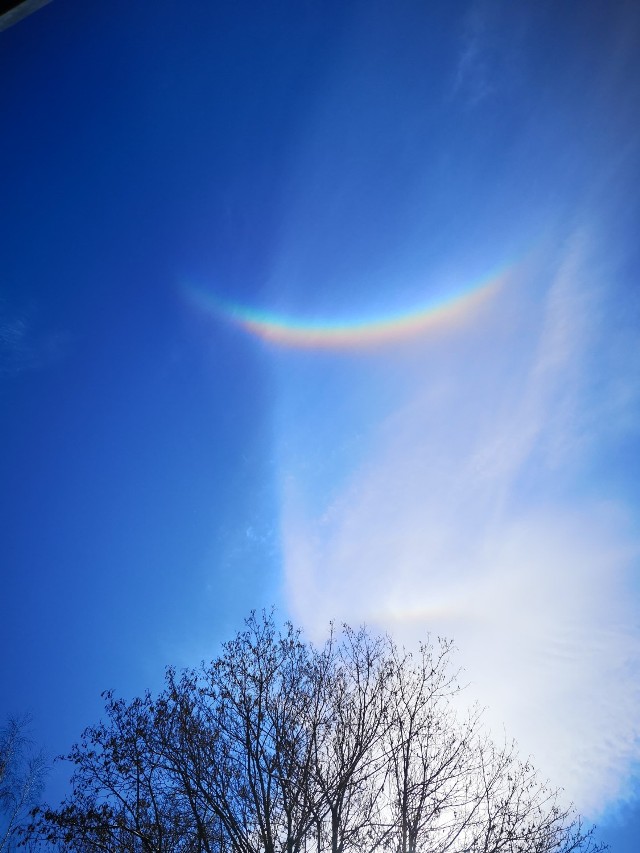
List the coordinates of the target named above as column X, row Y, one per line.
column 473, row 515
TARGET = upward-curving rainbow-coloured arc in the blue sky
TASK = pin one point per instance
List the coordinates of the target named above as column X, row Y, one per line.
column 316, row 333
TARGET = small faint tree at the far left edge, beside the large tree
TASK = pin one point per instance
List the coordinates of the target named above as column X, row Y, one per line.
column 22, row 776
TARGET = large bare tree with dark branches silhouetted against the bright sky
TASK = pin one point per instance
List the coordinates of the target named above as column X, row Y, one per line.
column 279, row 746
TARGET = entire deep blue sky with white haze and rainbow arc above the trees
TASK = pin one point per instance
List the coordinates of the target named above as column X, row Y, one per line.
column 331, row 306
